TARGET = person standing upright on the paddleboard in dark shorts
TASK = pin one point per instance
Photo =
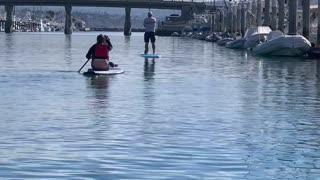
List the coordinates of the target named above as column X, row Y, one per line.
column 150, row 27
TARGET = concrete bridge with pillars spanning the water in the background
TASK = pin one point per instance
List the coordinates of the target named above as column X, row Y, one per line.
column 187, row 7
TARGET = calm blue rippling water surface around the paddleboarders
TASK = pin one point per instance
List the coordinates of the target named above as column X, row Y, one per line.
column 200, row 112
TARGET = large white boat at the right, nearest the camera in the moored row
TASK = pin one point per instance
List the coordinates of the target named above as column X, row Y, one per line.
column 286, row 45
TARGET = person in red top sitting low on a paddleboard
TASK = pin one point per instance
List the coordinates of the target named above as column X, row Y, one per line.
column 99, row 53
